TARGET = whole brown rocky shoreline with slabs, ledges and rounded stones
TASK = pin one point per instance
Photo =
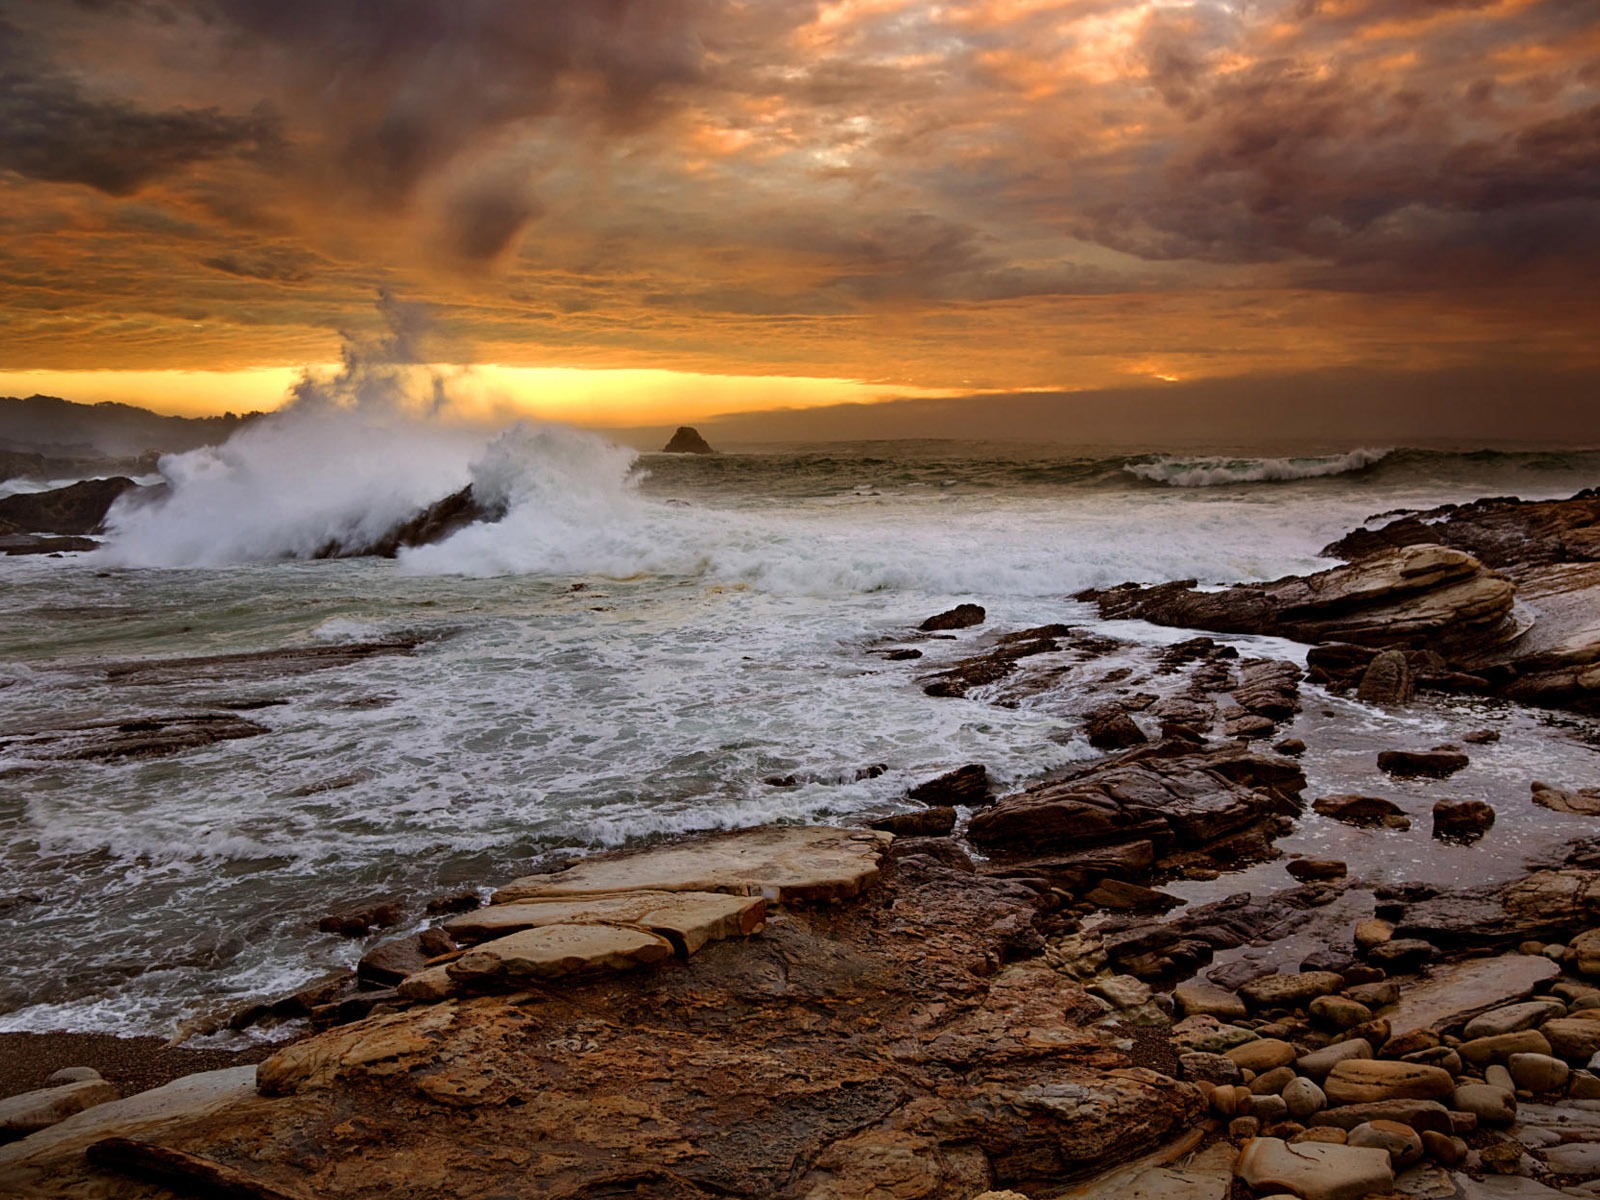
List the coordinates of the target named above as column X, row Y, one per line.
column 990, row 994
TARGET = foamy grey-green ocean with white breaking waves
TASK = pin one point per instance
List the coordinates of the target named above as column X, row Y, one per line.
column 646, row 646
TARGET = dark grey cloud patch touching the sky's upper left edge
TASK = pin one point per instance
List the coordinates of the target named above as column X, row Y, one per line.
column 55, row 130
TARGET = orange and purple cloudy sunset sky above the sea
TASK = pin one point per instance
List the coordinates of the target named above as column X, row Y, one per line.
column 628, row 212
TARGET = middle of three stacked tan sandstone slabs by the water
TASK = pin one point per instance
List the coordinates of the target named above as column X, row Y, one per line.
column 689, row 919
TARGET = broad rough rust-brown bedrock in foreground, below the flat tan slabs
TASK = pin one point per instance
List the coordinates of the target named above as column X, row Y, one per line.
column 892, row 1047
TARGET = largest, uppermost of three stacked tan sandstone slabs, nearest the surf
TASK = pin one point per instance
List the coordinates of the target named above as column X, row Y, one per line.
column 778, row 863
